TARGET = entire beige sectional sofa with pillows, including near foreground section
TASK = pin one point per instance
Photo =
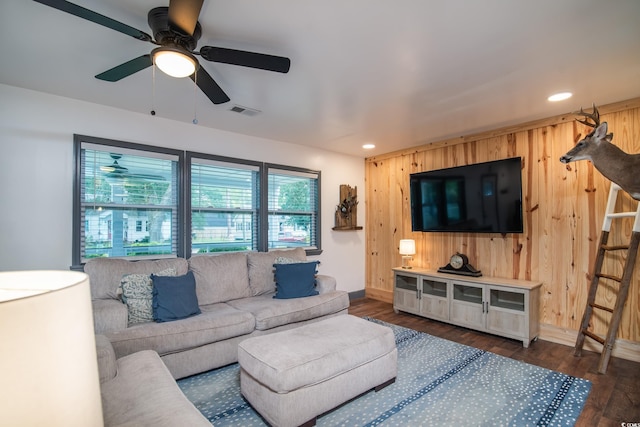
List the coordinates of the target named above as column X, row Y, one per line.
column 230, row 298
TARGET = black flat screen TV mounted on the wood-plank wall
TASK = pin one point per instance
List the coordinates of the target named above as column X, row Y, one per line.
column 478, row 198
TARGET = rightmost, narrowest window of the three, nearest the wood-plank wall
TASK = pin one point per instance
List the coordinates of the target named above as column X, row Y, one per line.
column 293, row 208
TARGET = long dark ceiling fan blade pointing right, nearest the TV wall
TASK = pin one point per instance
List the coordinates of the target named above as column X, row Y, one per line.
column 246, row 59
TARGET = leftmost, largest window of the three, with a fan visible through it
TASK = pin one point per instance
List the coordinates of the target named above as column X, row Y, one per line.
column 127, row 200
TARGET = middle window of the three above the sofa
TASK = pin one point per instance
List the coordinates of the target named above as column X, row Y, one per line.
column 224, row 204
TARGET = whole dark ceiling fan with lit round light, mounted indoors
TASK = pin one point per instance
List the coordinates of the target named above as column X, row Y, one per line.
column 176, row 32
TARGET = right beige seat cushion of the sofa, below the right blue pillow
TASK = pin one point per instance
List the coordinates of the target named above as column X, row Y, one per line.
column 271, row 313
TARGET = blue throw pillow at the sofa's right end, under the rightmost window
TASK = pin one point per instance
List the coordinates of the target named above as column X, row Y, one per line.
column 295, row 280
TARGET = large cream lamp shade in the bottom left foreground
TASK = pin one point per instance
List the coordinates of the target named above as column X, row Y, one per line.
column 48, row 362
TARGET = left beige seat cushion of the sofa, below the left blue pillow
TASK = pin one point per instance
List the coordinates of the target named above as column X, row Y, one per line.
column 217, row 322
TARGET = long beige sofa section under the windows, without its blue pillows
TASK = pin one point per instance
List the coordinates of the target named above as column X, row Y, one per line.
column 235, row 296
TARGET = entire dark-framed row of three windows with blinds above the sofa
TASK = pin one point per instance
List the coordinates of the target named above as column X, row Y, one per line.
column 138, row 201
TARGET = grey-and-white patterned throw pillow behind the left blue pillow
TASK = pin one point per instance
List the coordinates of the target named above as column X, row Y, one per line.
column 137, row 293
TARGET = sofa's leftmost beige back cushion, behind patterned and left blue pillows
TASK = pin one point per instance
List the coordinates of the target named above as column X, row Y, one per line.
column 105, row 273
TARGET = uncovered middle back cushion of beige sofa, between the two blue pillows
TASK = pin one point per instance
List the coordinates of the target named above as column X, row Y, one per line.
column 220, row 278
